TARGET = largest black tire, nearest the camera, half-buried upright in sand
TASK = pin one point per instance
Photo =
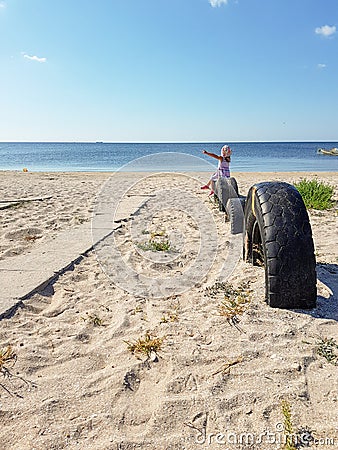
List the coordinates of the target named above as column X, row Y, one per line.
column 278, row 235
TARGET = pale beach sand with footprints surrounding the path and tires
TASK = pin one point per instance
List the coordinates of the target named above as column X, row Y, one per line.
column 215, row 383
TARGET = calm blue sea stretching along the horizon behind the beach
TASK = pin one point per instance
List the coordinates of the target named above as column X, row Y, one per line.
column 170, row 157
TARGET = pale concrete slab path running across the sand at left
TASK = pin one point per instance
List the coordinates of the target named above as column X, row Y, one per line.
column 22, row 275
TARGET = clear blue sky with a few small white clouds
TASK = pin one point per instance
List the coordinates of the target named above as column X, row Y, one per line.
column 168, row 70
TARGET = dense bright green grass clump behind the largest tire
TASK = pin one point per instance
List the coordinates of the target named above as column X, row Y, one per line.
column 315, row 194
